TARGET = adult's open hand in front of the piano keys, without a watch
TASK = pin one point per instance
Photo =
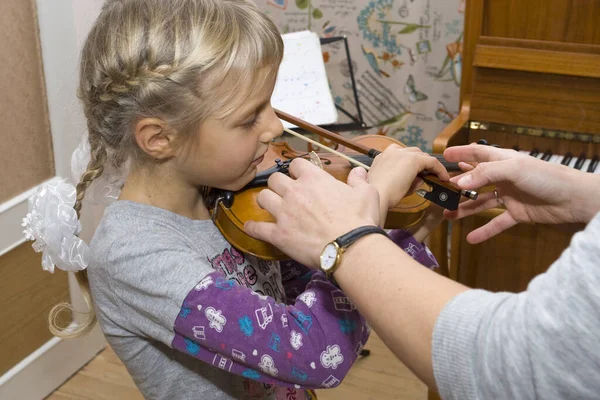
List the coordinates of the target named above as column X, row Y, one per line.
column 531, row 190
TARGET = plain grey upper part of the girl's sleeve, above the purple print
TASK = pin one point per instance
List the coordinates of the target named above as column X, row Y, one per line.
column 147, row 277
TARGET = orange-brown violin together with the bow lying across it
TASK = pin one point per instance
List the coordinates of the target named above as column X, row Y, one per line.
column 231, row 210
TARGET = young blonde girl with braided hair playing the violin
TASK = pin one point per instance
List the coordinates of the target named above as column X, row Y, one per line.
column 180, row 90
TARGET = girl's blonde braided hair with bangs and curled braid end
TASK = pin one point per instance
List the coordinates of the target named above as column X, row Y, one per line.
column 168, row 60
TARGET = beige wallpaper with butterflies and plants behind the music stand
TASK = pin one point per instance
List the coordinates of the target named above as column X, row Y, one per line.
column 406, row 57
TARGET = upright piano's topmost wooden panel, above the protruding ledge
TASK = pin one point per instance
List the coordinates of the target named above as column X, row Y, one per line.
column 574, row 21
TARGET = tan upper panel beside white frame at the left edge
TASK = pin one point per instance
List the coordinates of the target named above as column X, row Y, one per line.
column 26, row 146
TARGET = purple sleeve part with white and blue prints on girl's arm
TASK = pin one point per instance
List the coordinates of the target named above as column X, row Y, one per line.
column 310, row 344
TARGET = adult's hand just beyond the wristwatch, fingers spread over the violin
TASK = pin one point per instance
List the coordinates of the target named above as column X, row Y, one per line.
column 313, row 209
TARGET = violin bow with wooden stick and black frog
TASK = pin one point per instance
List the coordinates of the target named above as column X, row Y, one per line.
column 444, row 194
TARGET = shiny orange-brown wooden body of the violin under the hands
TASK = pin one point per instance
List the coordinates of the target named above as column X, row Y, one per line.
column 230, row 216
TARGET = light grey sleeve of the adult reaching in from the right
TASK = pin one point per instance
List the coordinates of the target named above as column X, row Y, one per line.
column 542, row 343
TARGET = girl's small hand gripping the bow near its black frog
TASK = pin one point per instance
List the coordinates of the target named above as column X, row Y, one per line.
column 394, row 174
